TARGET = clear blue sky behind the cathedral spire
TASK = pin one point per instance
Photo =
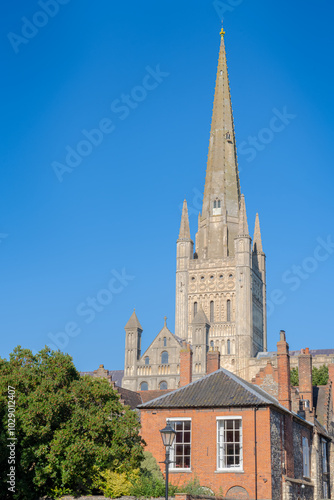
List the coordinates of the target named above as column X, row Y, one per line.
column 118, row 210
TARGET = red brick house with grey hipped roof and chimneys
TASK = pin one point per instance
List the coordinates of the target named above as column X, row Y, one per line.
column 239, row 440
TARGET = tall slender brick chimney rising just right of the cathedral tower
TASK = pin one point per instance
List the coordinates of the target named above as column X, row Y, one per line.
column 283, row 365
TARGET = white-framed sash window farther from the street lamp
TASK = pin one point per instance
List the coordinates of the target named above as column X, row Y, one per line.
column 229, row 443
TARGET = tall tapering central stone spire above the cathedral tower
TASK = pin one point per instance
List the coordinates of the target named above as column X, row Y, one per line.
column 222, row 178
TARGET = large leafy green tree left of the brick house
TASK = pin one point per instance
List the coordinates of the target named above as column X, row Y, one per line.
column 68, row 428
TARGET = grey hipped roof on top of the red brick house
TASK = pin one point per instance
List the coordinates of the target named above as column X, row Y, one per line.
column 219, row 389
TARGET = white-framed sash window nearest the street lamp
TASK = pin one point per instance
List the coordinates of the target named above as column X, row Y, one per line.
column 180, row 452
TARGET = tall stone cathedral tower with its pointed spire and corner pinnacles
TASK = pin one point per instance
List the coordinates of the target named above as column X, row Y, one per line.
column 225, row 277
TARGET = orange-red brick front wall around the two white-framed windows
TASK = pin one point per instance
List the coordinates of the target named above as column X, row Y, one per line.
column 204, row 448
